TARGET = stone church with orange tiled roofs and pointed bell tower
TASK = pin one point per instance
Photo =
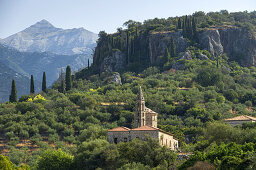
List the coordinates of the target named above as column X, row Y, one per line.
column 145, row 123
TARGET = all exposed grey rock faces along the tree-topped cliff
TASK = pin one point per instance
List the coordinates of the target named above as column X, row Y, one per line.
column 238, row 43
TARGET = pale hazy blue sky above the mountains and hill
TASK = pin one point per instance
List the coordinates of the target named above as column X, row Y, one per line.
column 97, row 15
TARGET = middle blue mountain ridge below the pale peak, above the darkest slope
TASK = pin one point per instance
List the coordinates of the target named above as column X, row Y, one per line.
column 27, row 63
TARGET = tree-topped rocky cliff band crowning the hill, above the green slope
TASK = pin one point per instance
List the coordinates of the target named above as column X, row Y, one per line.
column 145, row 44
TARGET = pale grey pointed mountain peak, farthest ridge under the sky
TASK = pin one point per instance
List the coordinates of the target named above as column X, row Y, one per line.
column 44, row 37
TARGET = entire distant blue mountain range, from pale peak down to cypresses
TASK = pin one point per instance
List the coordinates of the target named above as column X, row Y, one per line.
column 42, row 48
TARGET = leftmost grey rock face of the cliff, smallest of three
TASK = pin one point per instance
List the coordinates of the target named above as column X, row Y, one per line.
column 114, row 62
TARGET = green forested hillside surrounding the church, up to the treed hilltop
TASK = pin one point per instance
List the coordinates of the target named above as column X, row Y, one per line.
column 192, row 91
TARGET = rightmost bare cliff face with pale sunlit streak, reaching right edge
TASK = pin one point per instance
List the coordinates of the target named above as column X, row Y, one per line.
column 238, row 43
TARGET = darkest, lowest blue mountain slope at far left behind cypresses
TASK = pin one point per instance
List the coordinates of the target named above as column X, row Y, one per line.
column 22, row 82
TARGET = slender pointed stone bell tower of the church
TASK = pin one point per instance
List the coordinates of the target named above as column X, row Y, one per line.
column 140, row 114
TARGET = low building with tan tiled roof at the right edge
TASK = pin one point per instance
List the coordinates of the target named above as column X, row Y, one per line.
column 239, row 120
